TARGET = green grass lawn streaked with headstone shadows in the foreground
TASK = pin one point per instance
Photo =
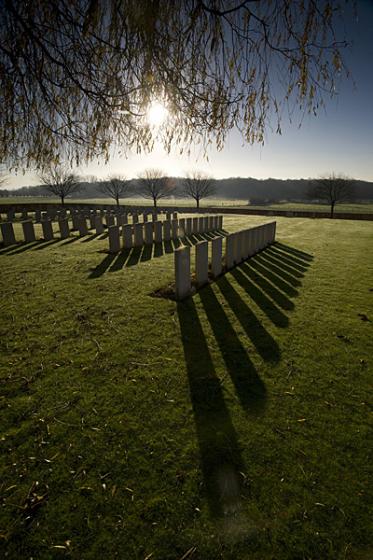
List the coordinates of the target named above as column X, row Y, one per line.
column 233, row 425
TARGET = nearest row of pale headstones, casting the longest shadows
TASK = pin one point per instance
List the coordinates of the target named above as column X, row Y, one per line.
column 239, row 246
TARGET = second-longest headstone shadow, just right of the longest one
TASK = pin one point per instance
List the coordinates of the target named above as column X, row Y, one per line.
column 250, row 389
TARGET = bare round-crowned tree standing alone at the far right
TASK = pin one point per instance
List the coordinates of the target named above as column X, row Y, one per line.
column 332, row 189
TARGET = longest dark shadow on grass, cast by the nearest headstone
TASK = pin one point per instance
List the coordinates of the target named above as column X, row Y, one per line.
column 220, row 454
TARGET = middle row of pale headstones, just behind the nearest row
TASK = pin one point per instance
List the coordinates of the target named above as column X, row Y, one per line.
column 139, row 234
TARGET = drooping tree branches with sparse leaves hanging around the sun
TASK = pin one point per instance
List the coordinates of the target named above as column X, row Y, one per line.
column 79, row 75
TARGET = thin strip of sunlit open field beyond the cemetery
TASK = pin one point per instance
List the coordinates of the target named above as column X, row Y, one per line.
column 205, row 203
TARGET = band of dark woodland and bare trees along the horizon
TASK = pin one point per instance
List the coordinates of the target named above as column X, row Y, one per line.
column 154, row 184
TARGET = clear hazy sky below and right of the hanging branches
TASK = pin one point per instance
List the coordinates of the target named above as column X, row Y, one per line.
column 339, row 139
